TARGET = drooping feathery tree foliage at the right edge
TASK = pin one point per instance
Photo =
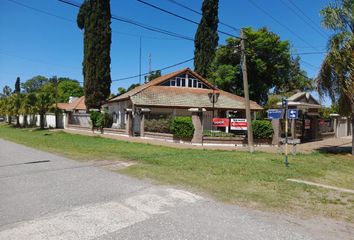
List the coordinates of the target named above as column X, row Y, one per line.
column 336, row 75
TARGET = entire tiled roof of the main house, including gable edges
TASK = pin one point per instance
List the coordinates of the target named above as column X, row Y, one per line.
column 151, row 94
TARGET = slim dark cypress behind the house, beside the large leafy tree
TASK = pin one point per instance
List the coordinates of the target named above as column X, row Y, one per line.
column 206, row 38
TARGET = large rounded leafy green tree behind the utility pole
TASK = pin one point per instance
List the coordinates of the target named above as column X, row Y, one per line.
column 269, row 64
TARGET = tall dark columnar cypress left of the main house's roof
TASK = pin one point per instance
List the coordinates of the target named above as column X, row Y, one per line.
column 95, row 19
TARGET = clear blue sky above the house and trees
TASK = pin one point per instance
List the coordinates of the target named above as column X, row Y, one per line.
column 41, row 37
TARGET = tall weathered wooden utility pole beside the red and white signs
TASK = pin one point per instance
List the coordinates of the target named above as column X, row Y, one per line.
column 246, row 92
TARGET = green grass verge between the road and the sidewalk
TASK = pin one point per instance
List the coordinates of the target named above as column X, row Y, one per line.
column 253, row 180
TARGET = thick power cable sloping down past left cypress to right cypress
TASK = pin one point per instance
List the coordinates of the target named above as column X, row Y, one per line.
column 138, row 24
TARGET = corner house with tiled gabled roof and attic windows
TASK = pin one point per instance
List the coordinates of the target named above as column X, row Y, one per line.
column 175, row 94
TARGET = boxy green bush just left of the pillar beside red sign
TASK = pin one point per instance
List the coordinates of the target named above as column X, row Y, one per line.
column 182, row 127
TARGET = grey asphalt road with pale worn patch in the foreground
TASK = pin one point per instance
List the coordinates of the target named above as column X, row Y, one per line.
column 44, row 196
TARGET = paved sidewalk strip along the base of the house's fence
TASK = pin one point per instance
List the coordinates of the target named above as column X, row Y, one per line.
column 330, row 144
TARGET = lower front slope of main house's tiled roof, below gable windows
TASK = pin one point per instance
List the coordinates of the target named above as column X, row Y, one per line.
column 188, row 97
